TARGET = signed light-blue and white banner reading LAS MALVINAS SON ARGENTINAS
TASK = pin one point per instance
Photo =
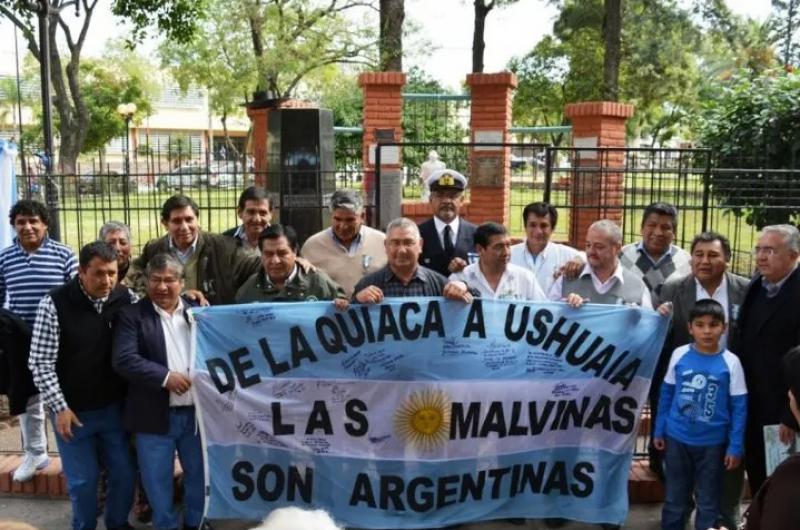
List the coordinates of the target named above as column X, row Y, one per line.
column 422, row 412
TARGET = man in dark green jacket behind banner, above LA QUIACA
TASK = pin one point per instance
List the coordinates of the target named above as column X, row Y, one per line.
column 282, row 278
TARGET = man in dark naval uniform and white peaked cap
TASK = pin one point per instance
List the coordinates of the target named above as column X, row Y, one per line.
column 447, row 238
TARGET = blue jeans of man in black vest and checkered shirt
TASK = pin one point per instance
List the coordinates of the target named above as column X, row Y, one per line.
column 101, row 436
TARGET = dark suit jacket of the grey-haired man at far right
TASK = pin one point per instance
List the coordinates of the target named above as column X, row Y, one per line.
column 761, row 341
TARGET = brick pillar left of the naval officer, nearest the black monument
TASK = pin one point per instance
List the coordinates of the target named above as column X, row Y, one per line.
column 382, row 120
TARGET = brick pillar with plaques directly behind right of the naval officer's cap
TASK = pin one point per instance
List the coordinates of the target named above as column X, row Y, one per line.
column 490, row 176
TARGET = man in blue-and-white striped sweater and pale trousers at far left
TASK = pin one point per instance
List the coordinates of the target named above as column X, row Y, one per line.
column 31, row 266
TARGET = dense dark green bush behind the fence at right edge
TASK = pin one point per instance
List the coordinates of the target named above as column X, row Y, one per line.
column 754, row 123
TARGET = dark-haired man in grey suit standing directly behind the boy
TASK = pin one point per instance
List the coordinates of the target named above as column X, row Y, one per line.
column 710, row 256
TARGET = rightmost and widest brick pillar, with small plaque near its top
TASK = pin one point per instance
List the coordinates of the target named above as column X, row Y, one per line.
column 597, row 191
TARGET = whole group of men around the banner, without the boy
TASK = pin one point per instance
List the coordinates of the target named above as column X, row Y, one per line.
column 110, row 334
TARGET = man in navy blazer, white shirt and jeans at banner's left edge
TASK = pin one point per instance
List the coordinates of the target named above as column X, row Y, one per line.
column 152, row 347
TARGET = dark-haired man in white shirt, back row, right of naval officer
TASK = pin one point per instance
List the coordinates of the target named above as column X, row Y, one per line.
column 537, row 253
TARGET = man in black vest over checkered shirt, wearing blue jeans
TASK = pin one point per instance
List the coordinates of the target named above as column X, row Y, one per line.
column 70, row 361
